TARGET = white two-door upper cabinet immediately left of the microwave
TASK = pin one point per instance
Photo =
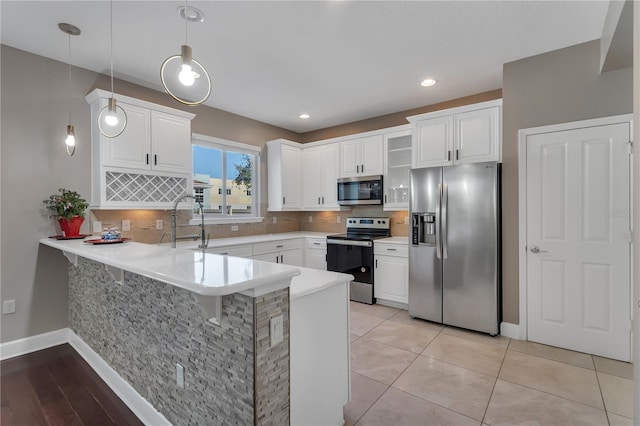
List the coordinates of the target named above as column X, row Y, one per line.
column 319, row 177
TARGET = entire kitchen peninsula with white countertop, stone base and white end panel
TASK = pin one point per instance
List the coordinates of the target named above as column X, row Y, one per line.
column 154, row 314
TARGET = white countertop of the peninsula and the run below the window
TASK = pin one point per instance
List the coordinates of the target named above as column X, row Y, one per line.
column 204, row 273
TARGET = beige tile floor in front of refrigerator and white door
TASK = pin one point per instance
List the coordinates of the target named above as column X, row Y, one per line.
column 411, row 372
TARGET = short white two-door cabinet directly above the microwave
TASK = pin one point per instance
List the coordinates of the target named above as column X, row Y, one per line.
column 362, row 157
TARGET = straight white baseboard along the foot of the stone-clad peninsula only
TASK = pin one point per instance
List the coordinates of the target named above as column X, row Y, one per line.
column 132, row 399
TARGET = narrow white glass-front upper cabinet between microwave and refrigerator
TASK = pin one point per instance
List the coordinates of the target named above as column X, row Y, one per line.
column 397, row 151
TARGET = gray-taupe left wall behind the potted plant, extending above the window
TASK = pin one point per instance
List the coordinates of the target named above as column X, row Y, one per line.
column 34, row 164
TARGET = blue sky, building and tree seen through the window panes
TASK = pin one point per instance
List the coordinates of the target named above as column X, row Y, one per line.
column 222, row 180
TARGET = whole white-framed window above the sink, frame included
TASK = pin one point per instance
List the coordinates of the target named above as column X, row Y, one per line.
column 224, row 173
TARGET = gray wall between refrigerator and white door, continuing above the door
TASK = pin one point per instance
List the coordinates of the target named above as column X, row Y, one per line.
column 554, row 87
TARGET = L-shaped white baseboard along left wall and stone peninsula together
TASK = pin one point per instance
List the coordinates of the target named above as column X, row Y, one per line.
column 129, row 396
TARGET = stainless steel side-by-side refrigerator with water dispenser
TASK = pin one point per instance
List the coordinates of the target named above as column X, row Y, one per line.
column 455, row 253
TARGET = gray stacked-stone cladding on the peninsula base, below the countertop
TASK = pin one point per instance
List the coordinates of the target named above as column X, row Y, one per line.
column 144, row 327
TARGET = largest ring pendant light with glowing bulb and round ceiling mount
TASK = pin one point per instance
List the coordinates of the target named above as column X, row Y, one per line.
column 184, row 78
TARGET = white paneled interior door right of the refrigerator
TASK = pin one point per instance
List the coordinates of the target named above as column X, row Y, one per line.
column 578, row 240
